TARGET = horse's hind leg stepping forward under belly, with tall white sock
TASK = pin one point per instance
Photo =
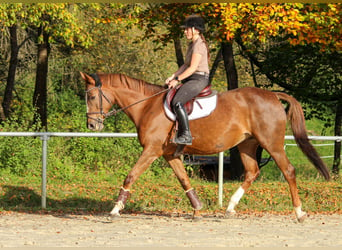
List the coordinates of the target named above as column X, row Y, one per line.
column 248, row 156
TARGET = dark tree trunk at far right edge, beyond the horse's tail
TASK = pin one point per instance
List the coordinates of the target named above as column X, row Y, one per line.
column 338, row 132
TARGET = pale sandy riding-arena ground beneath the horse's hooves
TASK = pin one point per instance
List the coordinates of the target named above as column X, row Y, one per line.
column 34, row 230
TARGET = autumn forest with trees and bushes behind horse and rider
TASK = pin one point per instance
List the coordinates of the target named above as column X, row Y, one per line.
column 291, row 47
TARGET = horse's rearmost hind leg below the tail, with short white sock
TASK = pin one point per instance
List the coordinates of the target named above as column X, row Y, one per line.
column 279, row 156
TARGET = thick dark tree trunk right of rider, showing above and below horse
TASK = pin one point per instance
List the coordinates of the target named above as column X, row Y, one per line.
column 232, row 78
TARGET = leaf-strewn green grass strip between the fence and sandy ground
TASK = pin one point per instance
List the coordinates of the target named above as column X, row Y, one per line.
column 73, row 188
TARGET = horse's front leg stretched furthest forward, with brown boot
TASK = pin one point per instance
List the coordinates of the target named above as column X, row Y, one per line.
column 141, row 165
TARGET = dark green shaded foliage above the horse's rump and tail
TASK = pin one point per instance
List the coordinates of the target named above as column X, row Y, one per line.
column 311, row 76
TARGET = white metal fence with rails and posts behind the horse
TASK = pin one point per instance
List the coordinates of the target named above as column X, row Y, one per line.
column 45, row 136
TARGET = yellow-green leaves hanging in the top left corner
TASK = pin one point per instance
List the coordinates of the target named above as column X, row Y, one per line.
column 59, row 20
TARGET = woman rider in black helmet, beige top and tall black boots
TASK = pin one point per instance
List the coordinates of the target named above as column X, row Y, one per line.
column 194, row 73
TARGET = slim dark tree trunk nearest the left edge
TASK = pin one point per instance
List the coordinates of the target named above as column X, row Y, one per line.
column 6, row 104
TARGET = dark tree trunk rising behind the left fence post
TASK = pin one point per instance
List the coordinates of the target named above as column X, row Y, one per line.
column 40, row 91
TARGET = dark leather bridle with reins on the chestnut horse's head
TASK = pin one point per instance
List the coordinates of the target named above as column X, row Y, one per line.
column 98, row 85
